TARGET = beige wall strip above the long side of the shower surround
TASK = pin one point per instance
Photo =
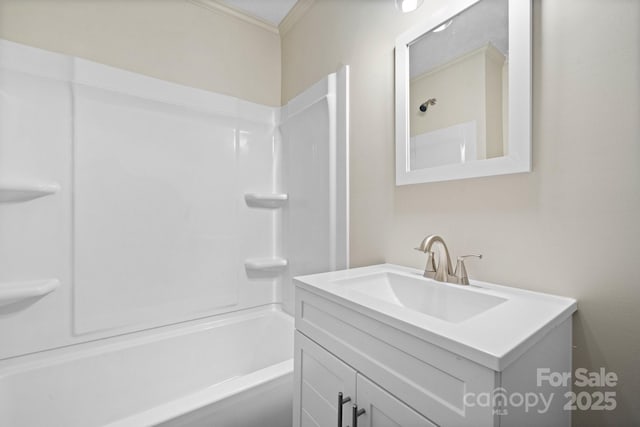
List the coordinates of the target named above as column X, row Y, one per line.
column 173, row 40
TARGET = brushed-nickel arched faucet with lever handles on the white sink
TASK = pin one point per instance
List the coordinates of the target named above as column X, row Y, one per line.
column 443, row 271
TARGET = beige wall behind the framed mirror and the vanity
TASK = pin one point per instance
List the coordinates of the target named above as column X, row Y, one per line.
column 570, row 228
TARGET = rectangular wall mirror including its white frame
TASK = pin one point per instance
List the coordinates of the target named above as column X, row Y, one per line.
column 463, row 93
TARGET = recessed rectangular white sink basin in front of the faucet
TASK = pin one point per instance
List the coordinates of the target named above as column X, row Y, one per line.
column 452, row 303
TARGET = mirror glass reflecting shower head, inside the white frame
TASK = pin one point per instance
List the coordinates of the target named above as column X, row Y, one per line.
column 458, row 88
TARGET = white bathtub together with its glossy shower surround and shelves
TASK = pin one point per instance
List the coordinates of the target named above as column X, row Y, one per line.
column 148, row 235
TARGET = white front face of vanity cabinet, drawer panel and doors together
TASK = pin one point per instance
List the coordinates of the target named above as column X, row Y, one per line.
column 338, row 350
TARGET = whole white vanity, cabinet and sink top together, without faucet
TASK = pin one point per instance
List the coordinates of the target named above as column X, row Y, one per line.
column 382, row 346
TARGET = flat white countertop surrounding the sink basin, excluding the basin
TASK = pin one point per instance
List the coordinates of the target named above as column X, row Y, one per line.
column 493, row 338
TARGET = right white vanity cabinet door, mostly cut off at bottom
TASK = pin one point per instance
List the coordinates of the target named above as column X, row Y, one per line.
column 384, row 410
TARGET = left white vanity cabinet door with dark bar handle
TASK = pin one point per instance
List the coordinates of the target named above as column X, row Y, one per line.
column 318, row 378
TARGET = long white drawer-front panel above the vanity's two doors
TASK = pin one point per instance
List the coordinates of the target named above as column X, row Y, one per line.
column 429, row 379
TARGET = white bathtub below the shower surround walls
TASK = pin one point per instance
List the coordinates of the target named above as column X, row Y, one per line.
column 229, row 371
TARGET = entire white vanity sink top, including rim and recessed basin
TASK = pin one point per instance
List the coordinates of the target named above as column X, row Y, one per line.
column 488, row 323
